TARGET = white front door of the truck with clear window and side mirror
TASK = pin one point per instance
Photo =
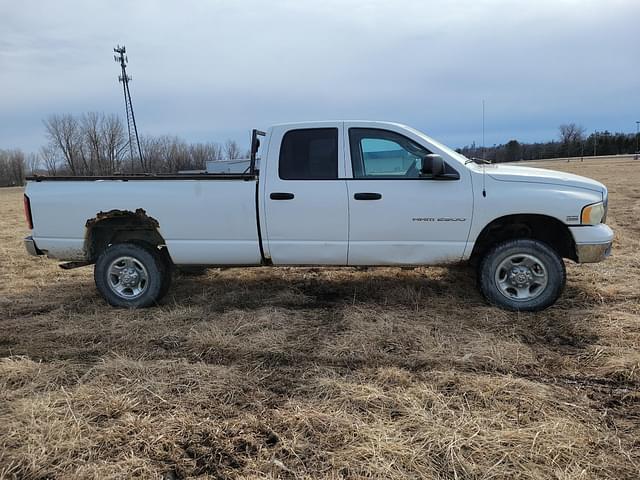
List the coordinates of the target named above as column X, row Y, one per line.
column 396, row 216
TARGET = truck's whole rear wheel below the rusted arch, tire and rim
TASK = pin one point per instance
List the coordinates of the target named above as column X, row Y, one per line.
column 147, row 267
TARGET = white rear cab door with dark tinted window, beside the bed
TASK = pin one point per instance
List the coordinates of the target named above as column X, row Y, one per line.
column 305, row 197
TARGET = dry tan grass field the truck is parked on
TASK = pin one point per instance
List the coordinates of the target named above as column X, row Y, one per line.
column 323, row 373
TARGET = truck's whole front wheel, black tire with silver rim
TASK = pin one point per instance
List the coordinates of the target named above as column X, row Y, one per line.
column 522, row 275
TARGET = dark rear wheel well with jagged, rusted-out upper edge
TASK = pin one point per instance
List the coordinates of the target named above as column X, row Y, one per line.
column 120, row 226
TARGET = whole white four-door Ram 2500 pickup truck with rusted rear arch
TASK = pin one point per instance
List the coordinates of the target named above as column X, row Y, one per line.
column 327, row 193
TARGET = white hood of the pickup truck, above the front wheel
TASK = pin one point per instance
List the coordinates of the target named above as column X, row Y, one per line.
column 516, row 173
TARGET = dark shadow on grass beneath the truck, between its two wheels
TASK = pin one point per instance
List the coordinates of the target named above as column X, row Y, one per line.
column 309, row 288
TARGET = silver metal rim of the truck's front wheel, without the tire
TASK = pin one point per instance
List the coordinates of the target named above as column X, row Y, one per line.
column 521, row 277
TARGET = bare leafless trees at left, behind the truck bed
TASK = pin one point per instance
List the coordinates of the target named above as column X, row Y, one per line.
column 98, row 144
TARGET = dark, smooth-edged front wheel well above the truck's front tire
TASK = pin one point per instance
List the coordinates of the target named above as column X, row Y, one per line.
column 537, row 227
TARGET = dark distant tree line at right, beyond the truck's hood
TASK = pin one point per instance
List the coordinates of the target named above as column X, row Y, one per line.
column 571, row 142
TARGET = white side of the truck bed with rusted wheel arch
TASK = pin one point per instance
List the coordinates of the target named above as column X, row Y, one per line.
column 202, row 221
